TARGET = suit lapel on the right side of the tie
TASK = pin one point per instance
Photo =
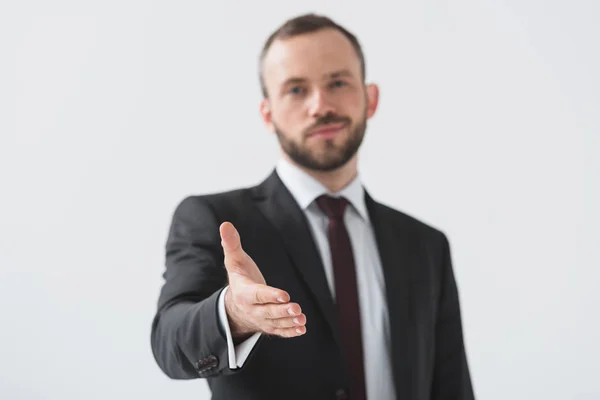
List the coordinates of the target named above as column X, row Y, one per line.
column 397, row 259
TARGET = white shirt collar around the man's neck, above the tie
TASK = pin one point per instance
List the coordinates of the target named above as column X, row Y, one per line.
column 305, row 189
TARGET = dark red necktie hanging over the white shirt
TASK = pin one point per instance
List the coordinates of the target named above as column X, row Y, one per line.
column 346, row 292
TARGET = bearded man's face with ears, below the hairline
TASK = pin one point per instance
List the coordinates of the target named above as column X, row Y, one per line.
column 317, row 102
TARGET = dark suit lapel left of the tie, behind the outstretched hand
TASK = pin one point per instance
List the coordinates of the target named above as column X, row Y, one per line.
column 279, row 207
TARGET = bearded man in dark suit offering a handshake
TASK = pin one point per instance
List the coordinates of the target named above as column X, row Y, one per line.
column 304, row 287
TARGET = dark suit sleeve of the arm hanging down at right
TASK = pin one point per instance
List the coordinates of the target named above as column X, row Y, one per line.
column 451, row 378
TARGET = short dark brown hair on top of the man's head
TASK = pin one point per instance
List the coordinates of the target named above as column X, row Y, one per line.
column 302, row 24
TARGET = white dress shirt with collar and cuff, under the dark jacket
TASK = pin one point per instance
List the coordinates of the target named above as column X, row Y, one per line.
column 369, row 275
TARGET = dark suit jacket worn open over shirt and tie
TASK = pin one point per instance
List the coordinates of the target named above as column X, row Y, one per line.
column 428, row 354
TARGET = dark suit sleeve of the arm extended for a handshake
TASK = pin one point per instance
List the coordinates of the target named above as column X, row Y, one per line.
column 187, row 339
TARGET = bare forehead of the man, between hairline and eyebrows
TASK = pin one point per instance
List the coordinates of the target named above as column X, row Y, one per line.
column 313, row 55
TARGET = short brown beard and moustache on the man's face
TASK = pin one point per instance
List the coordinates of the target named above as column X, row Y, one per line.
column 332, row 157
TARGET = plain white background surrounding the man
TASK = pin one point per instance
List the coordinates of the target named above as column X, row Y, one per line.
column 114, row 111
